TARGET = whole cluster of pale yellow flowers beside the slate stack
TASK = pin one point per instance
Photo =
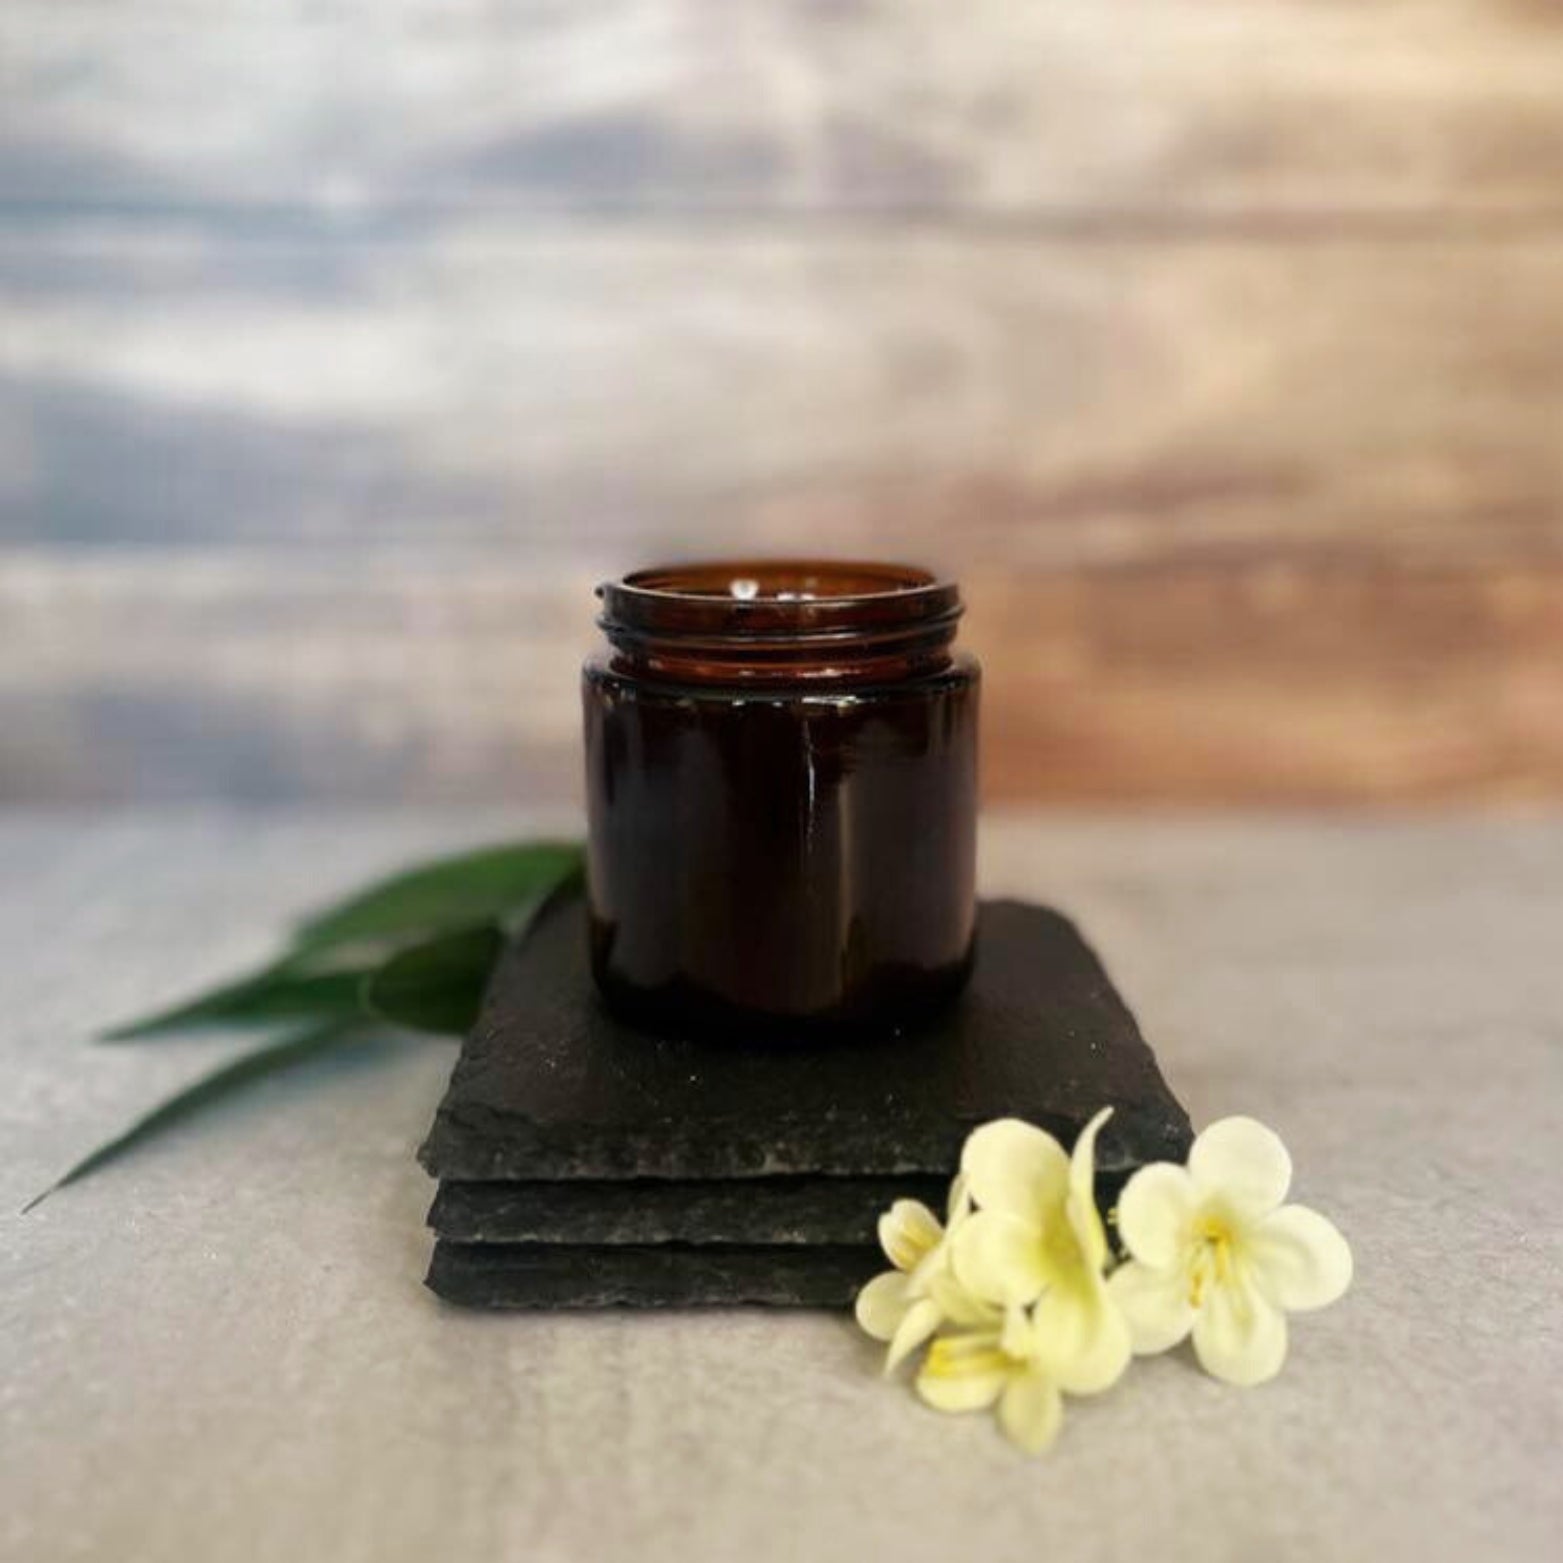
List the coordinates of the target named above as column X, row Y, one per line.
column 1021, row 1301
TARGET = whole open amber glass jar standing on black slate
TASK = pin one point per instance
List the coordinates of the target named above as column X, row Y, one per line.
column 782, row 796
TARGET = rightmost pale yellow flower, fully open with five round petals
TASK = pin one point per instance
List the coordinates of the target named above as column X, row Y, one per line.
column 1214, row 1253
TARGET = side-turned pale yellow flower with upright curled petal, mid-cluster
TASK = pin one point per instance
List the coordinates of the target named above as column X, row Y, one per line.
column 1037, row 1239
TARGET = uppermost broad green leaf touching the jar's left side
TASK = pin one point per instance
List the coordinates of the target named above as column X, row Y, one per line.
column 492, row 885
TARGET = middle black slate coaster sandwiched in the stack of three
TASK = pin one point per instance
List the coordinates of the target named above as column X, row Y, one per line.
column 795, row 1211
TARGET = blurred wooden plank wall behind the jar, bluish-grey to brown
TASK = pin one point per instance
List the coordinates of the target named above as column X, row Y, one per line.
column 1217, row 346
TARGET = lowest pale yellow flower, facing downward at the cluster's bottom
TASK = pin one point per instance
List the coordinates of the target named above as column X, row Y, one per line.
column 995, row 1357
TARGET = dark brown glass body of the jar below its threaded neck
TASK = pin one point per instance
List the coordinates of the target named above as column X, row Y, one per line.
column 782, row 856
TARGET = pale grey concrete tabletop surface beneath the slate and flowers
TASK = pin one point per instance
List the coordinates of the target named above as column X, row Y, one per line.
column 221, row 1350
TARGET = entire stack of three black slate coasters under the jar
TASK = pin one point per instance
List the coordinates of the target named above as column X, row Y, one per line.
column 587, row 1164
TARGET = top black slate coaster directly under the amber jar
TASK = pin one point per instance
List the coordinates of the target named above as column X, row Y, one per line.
column 553, row 1087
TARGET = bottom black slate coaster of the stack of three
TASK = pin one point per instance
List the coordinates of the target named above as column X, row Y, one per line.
column 663, row 1276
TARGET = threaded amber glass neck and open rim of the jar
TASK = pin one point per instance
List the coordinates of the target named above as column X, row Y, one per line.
column 742, row 620
